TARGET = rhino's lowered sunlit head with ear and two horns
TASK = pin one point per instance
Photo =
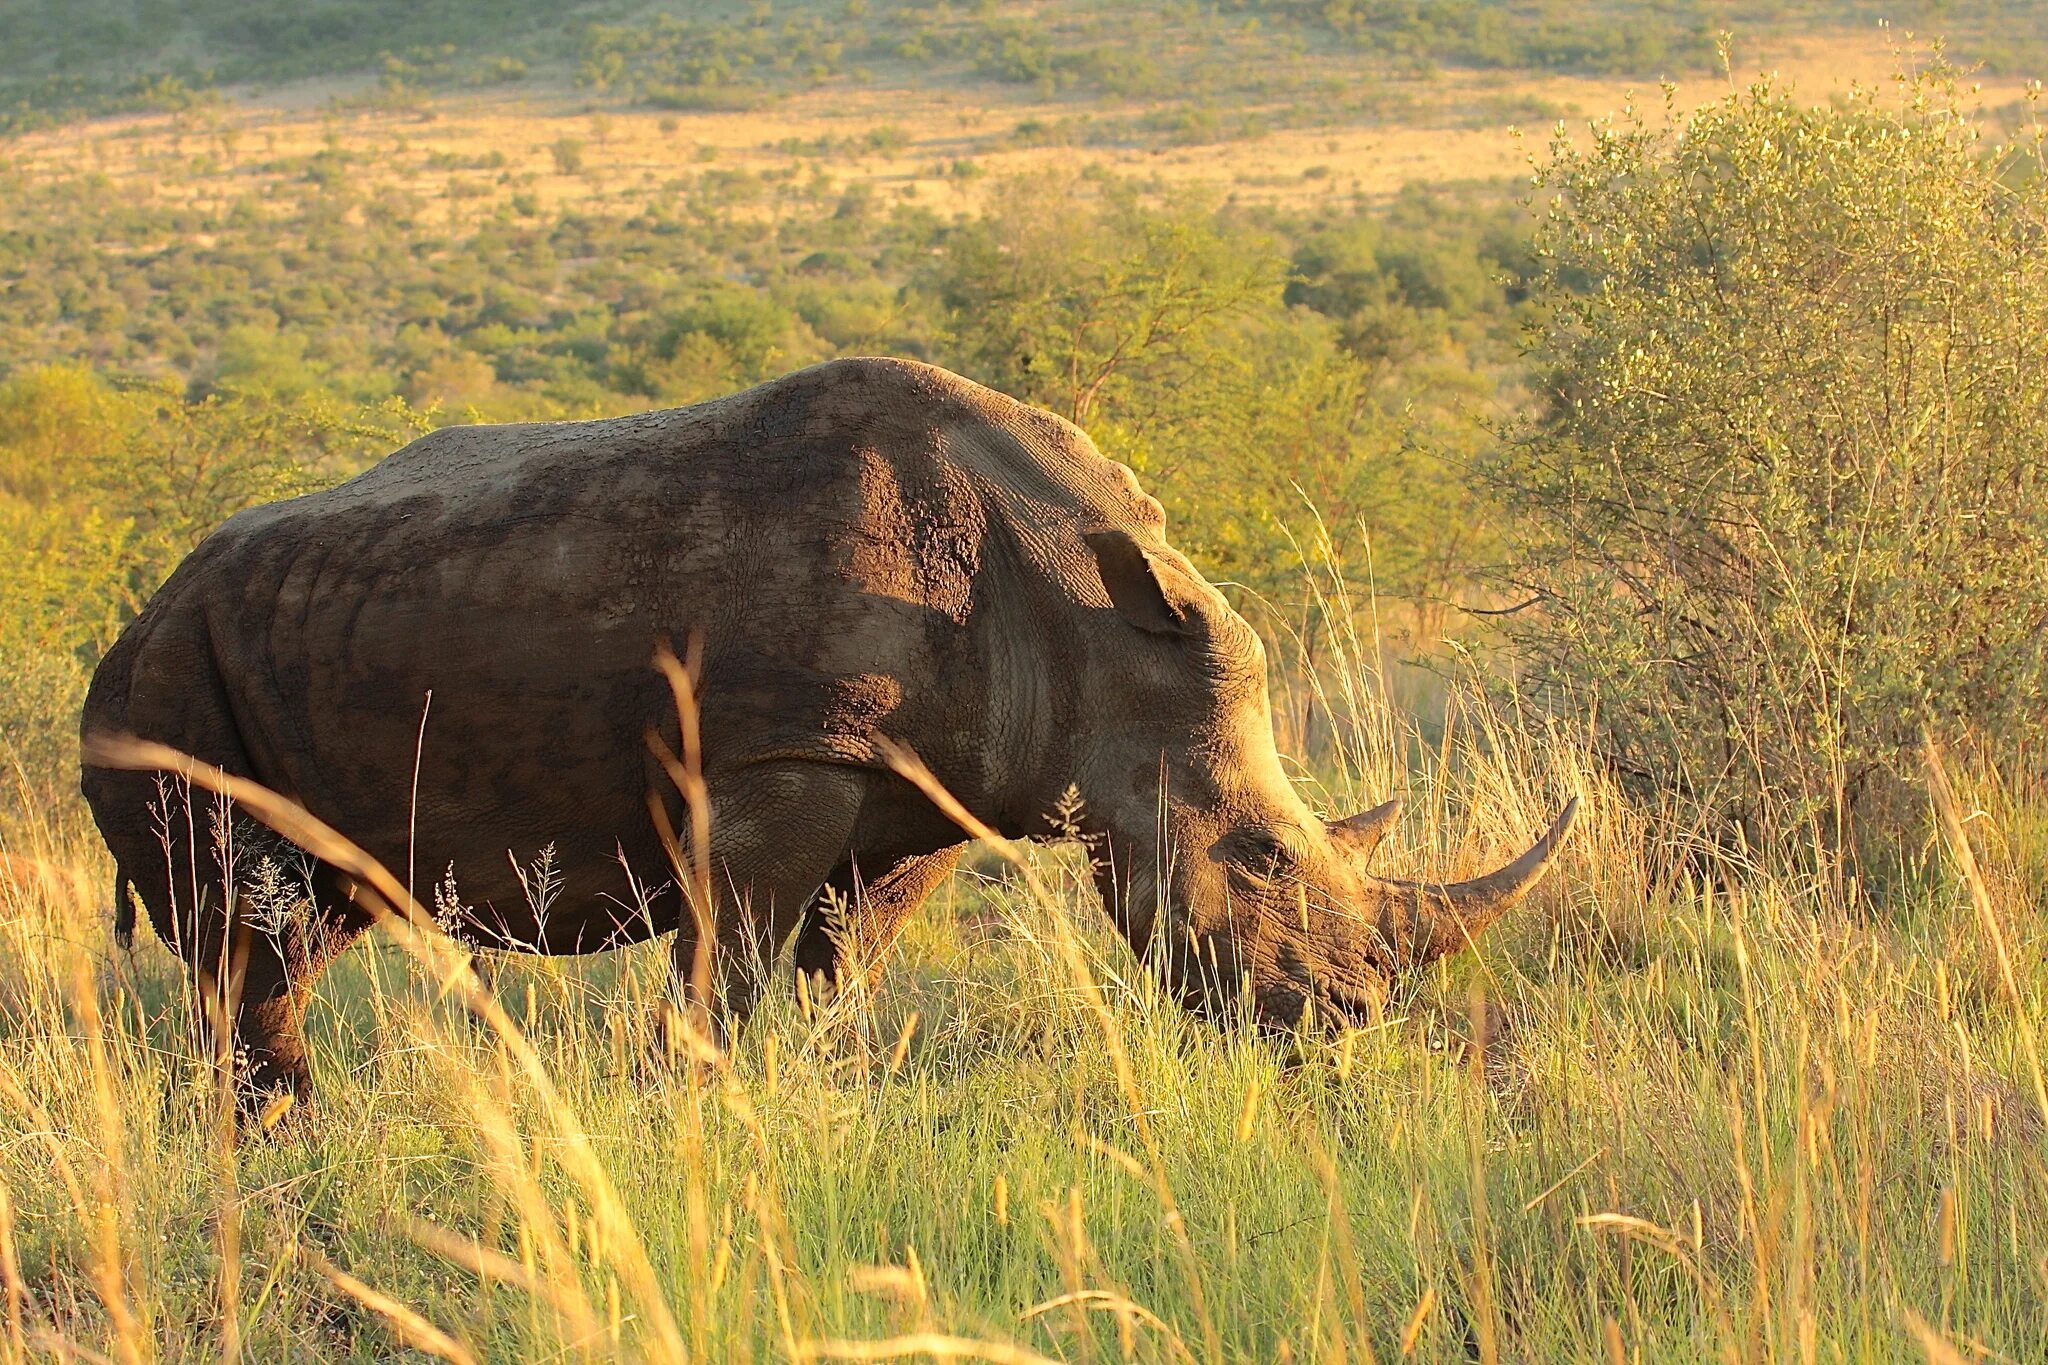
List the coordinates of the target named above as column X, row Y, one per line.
column 1215, row 869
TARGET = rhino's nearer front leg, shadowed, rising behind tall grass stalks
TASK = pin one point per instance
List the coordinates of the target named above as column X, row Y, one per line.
column 779, row 830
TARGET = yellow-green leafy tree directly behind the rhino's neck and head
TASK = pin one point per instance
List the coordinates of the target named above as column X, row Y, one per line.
column 1248, row 388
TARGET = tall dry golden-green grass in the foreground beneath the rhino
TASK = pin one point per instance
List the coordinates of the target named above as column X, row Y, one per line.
column 1676, row 1110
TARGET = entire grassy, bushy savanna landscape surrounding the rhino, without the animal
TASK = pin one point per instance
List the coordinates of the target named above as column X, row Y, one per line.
column 1629, row 402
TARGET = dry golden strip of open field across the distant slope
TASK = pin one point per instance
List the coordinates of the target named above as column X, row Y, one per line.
column 900, row 136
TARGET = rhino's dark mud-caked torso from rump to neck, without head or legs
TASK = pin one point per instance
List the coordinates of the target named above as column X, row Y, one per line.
column 826, row 539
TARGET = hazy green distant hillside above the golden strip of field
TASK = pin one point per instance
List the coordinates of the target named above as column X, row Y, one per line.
column 62, row 58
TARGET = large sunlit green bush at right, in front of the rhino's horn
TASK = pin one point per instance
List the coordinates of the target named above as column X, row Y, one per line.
column 1787, row 507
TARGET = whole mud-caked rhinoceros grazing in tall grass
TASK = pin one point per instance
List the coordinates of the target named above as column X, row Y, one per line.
column 450, row 658
